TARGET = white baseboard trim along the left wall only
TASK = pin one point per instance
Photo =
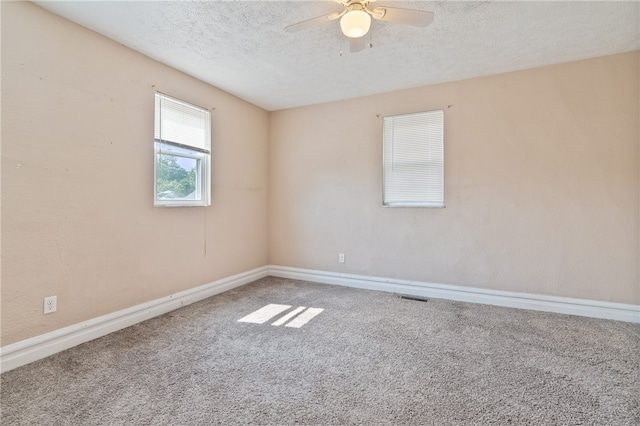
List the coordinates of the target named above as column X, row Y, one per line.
column 38, row 347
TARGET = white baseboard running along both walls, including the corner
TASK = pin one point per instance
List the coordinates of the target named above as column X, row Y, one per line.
column 38, row 347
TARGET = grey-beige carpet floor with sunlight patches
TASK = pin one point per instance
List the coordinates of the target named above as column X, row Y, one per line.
column 367, row 358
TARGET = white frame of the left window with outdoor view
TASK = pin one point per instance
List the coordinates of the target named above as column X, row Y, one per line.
column 202, row 156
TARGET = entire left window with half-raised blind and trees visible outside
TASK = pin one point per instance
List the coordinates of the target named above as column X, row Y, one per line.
column 182, row 153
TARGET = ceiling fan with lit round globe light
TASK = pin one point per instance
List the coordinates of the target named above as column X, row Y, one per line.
column 355, row 20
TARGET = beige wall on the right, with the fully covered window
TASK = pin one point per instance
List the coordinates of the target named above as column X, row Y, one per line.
column 541, row 185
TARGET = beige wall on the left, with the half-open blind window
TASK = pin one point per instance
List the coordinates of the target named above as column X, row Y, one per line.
column 77, row 179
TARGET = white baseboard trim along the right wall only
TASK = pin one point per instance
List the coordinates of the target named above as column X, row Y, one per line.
column 563, row 305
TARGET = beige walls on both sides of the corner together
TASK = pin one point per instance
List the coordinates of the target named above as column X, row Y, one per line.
column 542, row 182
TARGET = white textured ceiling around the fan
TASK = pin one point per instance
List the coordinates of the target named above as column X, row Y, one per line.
column 241, row 47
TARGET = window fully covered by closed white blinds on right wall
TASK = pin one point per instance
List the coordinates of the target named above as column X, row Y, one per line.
column 413, row 160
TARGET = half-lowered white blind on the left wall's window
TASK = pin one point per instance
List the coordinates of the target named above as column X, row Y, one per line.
column 180, row 123
